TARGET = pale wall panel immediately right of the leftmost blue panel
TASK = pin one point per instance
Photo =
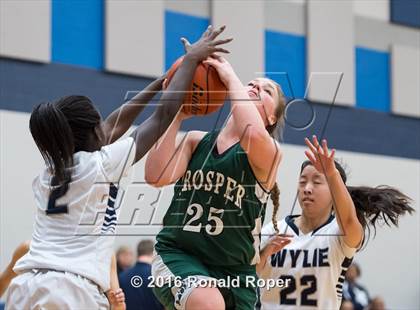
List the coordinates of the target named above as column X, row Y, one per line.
column 135, row 37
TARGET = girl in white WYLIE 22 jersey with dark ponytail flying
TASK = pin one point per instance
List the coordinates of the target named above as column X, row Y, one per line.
column 327, row 234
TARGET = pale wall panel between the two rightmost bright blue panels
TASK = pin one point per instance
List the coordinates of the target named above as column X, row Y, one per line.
column 330, row 51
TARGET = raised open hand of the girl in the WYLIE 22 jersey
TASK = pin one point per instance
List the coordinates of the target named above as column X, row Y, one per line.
column 320, row 157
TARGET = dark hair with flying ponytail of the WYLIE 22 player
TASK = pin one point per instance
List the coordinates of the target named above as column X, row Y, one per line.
column 373, row 204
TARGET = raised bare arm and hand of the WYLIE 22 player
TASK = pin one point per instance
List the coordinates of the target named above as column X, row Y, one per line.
column 323, row 161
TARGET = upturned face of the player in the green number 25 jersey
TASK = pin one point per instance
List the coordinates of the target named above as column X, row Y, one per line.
column 265, row 95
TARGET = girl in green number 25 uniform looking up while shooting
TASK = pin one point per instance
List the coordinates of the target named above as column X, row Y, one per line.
column 223, row 181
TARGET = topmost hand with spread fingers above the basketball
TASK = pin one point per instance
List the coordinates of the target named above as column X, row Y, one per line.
column 206, row 45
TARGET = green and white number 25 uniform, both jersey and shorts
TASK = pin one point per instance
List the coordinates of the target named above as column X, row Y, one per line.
column 212, row 227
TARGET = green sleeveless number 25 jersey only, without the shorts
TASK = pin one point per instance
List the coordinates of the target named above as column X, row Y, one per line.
column 217, row 209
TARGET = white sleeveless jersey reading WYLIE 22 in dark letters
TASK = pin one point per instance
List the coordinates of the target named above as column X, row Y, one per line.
column 314, row 265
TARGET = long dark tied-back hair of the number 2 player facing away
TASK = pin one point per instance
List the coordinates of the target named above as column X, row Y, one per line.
column 62, row 128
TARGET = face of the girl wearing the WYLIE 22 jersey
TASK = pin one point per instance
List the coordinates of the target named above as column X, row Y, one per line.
column 313, row 193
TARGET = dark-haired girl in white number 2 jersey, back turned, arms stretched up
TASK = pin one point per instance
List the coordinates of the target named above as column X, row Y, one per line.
column 78, row 194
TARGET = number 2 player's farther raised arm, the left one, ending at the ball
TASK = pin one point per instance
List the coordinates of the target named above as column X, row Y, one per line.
column 119, row 121
